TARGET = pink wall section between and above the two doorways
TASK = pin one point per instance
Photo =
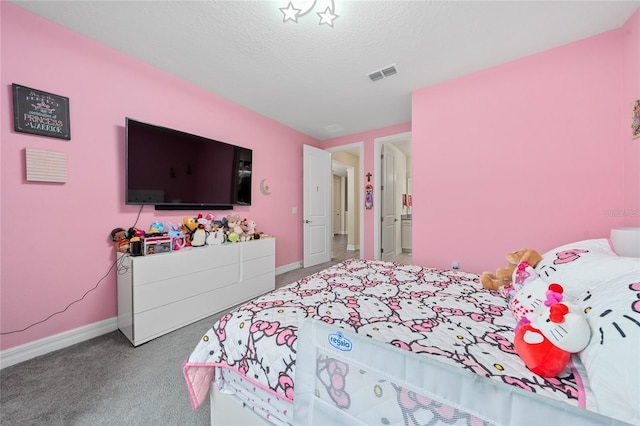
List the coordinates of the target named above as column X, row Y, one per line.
column 368, row 138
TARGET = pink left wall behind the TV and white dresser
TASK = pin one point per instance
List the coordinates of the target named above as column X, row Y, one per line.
column 54, row 243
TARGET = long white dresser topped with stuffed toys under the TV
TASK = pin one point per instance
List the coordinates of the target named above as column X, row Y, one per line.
column 163, row 292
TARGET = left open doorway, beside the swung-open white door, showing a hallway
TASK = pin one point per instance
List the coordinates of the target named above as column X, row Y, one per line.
column 348, row 221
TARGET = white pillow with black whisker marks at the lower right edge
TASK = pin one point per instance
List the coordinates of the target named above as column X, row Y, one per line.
column 611, row 359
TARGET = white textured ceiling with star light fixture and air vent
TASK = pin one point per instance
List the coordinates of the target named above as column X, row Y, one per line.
column 311, row 76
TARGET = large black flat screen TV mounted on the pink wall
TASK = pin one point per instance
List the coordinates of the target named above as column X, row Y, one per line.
column 174, row 170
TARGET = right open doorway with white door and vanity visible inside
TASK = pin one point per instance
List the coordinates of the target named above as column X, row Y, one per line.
column 392, row 227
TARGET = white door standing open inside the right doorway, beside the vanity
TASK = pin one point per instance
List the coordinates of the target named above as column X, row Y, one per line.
column 388, row 196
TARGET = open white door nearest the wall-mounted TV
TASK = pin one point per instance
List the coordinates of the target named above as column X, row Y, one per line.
column 317, row 205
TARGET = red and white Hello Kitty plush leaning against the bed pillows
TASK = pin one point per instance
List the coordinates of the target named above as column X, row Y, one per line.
column 549, row 328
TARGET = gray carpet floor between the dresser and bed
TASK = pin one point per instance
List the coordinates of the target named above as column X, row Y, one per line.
column 105, row 381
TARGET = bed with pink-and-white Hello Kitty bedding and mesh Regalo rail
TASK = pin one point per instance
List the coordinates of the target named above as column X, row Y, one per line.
column 372, row 342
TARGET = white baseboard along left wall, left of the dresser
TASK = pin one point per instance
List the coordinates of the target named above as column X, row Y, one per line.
column 21, row 353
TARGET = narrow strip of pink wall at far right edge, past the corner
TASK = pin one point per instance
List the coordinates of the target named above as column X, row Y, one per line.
column 631, row 89
